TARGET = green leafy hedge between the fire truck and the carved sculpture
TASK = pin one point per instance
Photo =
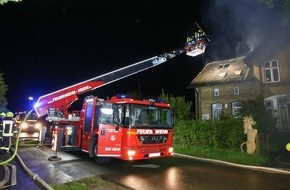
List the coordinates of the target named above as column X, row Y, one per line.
column 222, row 134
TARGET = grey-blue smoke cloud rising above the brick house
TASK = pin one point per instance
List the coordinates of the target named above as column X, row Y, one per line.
column 236, row 27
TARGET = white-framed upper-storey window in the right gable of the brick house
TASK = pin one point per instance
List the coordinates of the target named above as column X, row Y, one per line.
column 272, row 71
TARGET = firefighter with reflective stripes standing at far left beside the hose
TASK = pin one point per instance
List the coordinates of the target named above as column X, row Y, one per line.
column 9, row 128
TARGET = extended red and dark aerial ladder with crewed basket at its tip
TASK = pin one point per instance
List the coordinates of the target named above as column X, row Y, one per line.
column 56, row 104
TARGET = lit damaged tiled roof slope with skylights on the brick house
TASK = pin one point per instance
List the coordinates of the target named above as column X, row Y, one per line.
column 223, row 72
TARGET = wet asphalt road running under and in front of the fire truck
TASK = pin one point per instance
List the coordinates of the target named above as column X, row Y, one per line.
column 177, row 172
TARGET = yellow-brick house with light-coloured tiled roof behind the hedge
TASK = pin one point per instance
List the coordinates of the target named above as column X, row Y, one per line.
column 223, row 86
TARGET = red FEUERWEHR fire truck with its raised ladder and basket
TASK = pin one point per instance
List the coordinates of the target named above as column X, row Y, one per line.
column 120, row 127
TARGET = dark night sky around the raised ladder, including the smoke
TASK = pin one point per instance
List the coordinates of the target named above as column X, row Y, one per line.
column 47, row 45
